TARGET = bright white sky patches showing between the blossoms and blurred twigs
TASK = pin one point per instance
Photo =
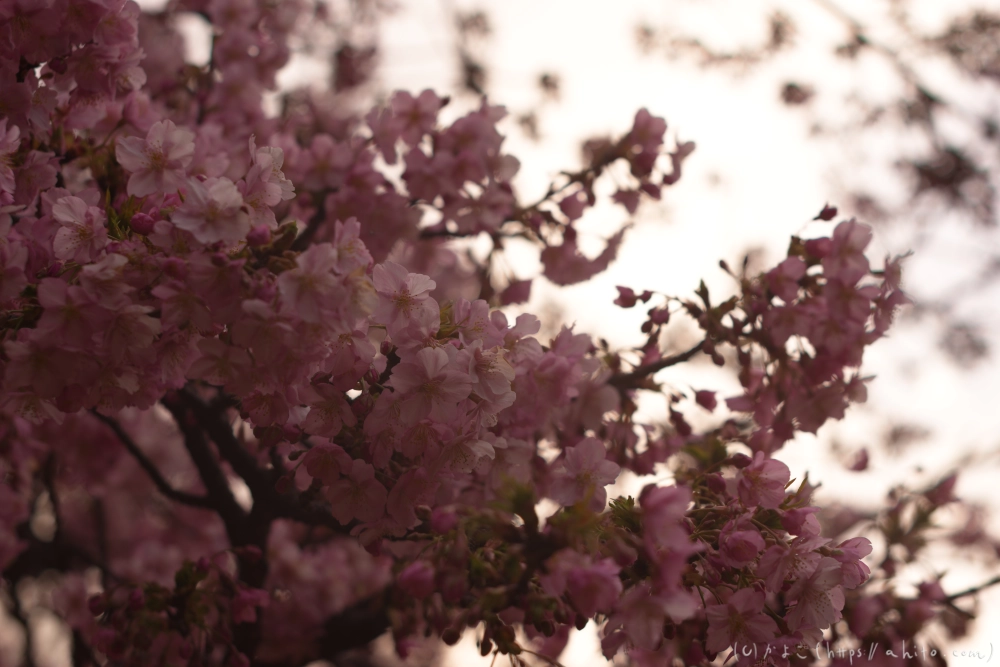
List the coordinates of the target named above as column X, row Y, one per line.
column 755, row 179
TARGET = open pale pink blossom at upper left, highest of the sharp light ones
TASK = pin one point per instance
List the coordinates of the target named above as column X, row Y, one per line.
column 158, row 162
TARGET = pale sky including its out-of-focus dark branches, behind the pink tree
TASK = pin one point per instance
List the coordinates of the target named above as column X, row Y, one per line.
column 887, row 109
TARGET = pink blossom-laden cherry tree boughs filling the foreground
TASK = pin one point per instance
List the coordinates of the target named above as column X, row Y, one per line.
column 257, row 410
